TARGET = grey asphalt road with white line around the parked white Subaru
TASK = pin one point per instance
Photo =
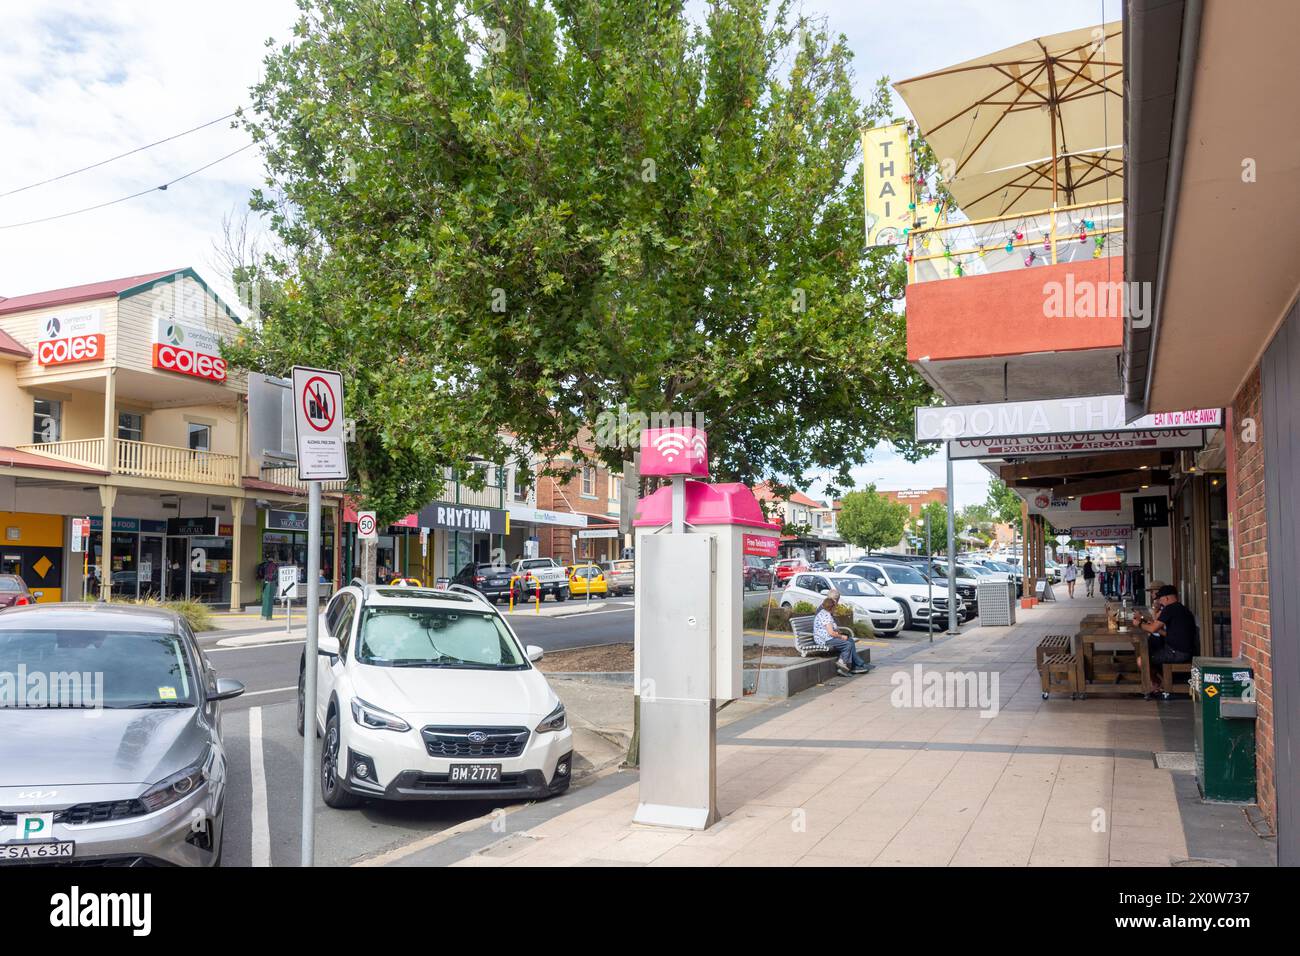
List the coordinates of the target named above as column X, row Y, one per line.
column 265, row 799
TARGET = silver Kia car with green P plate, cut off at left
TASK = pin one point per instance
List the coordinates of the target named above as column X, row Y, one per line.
column 110, row 738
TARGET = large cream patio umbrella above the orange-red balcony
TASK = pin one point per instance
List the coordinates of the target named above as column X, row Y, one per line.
column 1035, row 126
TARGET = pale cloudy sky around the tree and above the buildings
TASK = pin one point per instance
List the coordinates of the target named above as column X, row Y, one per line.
column 86, row 80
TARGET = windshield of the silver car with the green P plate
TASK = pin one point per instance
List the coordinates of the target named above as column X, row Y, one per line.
column 92, row 669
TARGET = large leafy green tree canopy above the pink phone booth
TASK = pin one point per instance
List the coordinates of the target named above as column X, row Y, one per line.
column 521, row 214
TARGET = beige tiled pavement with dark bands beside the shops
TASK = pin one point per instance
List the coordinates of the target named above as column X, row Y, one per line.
column 852, row 775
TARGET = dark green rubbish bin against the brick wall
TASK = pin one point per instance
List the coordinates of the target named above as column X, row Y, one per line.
column 1224, row 710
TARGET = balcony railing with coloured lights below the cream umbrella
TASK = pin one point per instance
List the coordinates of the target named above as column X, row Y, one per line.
column 980, row 248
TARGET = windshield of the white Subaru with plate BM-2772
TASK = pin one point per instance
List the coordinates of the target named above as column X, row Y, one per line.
column 437, row 638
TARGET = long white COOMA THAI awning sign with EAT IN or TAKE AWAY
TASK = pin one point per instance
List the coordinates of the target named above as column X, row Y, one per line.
column 1050, row 417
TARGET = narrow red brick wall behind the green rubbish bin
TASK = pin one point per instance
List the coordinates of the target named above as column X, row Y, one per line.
column 1251, row 535
